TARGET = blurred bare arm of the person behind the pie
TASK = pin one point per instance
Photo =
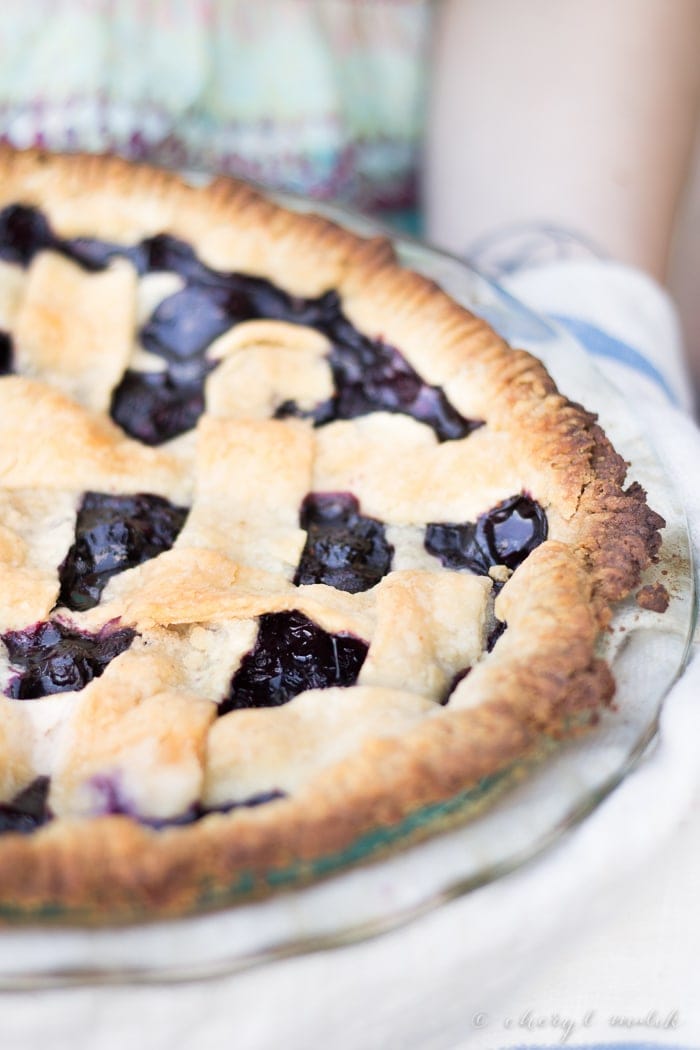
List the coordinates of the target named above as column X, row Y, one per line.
column 578, row 113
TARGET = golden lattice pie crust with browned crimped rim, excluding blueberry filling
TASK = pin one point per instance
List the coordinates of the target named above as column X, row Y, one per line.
column 334, row 766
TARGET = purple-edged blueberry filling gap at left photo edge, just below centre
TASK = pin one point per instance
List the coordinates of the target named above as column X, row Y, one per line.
column 54, row 658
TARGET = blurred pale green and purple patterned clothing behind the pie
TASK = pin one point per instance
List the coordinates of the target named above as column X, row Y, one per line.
column 322, row 97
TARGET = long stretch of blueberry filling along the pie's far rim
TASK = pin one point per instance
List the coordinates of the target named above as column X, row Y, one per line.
column 369, row 375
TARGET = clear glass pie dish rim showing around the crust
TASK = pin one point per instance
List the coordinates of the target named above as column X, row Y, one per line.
column 646, row 649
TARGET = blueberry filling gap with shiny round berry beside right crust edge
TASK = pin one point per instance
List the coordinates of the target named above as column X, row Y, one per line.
column 504, row 536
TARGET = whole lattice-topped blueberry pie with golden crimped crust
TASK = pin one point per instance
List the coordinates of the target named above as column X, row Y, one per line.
column 293, row 550
